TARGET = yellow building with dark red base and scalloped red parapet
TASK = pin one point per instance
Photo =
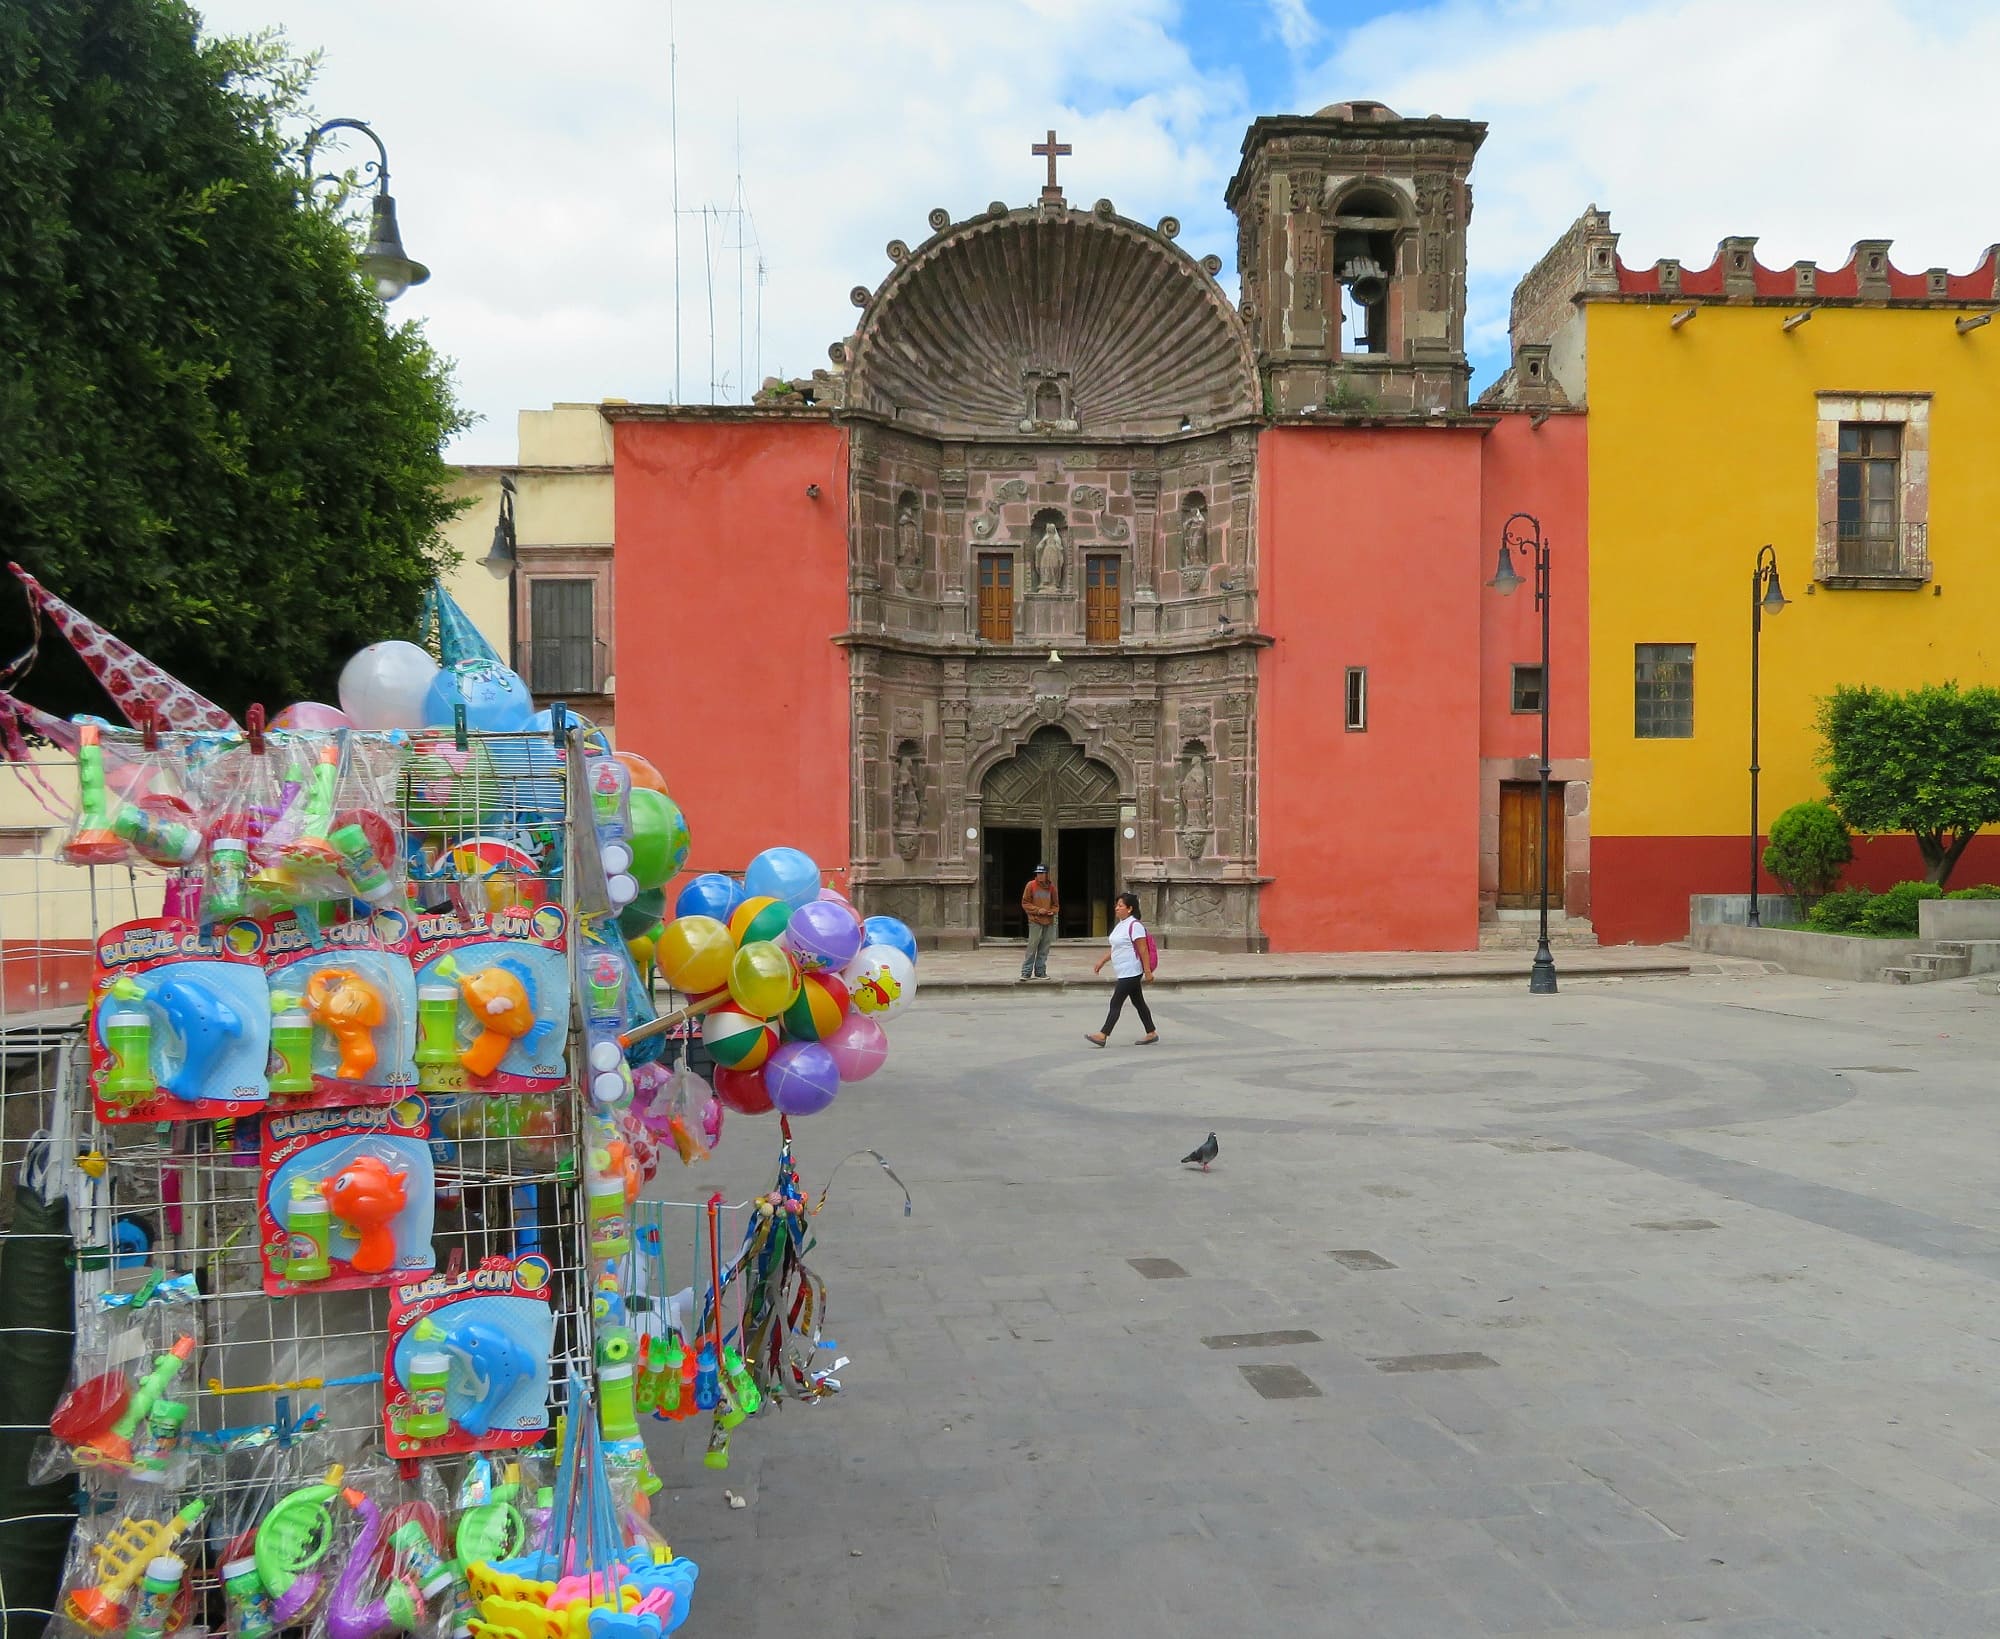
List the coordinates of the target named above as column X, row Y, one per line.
column 1849, row 419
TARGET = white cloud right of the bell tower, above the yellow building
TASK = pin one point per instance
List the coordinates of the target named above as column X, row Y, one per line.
column 1809, row 123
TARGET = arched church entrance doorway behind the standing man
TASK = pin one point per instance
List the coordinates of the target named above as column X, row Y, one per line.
column 1049, row 805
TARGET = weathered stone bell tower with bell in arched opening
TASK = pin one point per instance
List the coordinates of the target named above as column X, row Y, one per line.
column 1351, row 245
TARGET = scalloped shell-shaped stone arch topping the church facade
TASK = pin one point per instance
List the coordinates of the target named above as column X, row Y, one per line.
column 1145, row 339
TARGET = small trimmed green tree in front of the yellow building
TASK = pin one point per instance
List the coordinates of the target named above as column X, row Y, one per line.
column 1923, row 763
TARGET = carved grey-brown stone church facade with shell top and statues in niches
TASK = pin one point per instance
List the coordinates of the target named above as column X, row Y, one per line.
column 1143, row 483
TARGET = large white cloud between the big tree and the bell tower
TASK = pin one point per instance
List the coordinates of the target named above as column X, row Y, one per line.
column 535, row 169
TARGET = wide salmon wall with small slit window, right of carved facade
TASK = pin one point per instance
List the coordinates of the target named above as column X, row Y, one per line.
column 1371, row 553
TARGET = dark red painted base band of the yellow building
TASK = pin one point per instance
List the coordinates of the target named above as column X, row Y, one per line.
column 1643, row 884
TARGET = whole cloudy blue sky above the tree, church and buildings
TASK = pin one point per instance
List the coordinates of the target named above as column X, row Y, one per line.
column 537, row 151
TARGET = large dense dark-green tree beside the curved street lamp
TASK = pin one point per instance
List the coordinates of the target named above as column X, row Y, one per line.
column 211, row 439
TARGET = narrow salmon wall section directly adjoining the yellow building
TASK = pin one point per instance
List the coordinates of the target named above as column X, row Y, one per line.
column 1541, row 471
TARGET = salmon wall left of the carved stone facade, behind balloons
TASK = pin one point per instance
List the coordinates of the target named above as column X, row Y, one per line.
column 731, row 683
